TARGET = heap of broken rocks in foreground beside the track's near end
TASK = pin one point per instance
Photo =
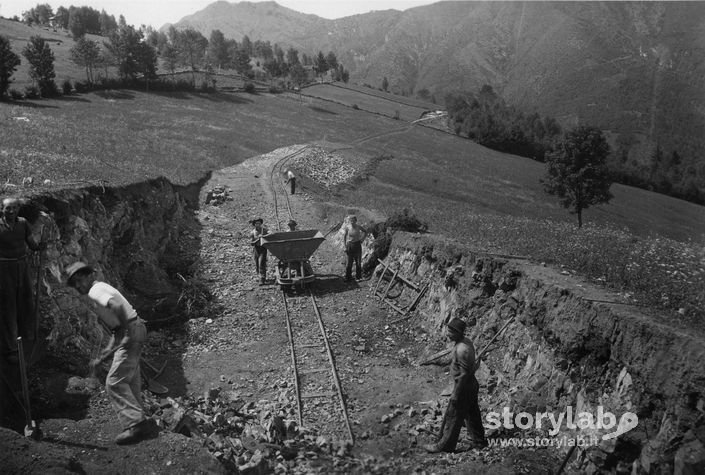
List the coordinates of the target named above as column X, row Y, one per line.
column 249, row 437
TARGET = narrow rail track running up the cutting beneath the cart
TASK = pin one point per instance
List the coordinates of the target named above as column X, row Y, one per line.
column 319, row 394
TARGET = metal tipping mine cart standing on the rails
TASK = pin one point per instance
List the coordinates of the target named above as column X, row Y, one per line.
column 293, row 249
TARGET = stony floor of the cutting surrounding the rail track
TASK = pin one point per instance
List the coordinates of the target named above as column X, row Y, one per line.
column 231, row 405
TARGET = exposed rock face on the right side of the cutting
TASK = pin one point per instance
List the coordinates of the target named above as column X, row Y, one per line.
column 562, row 349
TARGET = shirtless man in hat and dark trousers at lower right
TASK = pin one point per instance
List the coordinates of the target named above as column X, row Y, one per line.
column 463, row 407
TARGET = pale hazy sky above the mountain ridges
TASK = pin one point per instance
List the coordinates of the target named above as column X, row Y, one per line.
column 159, row 12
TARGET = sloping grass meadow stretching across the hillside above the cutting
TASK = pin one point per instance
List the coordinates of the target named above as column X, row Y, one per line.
column 643, row 244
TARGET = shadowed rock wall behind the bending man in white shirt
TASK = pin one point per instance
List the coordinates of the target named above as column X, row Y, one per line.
column 126, row 234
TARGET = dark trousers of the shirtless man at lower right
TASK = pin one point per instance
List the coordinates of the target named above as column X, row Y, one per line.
column 463, row 411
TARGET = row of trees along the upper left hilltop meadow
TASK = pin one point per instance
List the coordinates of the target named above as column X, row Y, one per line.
column 136, row 54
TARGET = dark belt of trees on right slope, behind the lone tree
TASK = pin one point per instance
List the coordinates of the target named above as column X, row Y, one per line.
column 486, row 118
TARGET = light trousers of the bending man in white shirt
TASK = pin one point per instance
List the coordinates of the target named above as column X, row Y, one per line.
column 124, row 383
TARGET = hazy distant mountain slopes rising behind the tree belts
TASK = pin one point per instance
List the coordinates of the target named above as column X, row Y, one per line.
column 634, row 69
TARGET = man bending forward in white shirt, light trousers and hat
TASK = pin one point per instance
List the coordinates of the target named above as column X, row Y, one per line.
column 123, row 384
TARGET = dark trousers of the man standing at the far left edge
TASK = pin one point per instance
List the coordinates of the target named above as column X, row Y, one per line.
column 17, row 316
